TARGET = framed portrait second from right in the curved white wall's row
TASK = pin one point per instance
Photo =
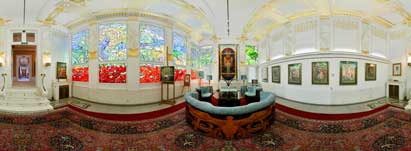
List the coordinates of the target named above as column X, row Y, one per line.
column 348, row 73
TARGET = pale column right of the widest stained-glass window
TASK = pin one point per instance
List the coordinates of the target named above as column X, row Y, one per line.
column 133, row 60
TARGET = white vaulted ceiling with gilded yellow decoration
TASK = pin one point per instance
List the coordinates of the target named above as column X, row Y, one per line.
column 248, row 18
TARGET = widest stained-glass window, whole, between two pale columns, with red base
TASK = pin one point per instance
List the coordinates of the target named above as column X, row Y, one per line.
column 112, row 52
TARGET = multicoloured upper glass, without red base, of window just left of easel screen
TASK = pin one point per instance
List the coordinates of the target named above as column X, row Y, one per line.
column 152, row 44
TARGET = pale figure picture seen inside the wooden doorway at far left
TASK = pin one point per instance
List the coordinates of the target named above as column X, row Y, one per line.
column 23, row 67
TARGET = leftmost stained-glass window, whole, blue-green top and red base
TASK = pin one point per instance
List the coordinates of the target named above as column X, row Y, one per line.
column 79, row 55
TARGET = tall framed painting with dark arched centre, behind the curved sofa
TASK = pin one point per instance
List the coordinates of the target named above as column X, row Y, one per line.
column 227, row 61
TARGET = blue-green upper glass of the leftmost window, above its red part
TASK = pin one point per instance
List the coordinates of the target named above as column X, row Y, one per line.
column 79, row 47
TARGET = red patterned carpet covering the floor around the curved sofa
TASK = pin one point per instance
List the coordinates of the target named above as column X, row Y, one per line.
column 68, row 129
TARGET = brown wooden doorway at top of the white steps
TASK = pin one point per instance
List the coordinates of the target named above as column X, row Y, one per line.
column 24, row 65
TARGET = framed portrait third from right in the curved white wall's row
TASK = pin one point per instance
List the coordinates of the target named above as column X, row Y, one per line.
column 320, row 73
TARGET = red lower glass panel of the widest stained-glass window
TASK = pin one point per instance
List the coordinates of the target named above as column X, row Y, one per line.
column 113, row 73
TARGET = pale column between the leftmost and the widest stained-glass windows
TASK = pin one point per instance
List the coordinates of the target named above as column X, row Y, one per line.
column 93, row 57
